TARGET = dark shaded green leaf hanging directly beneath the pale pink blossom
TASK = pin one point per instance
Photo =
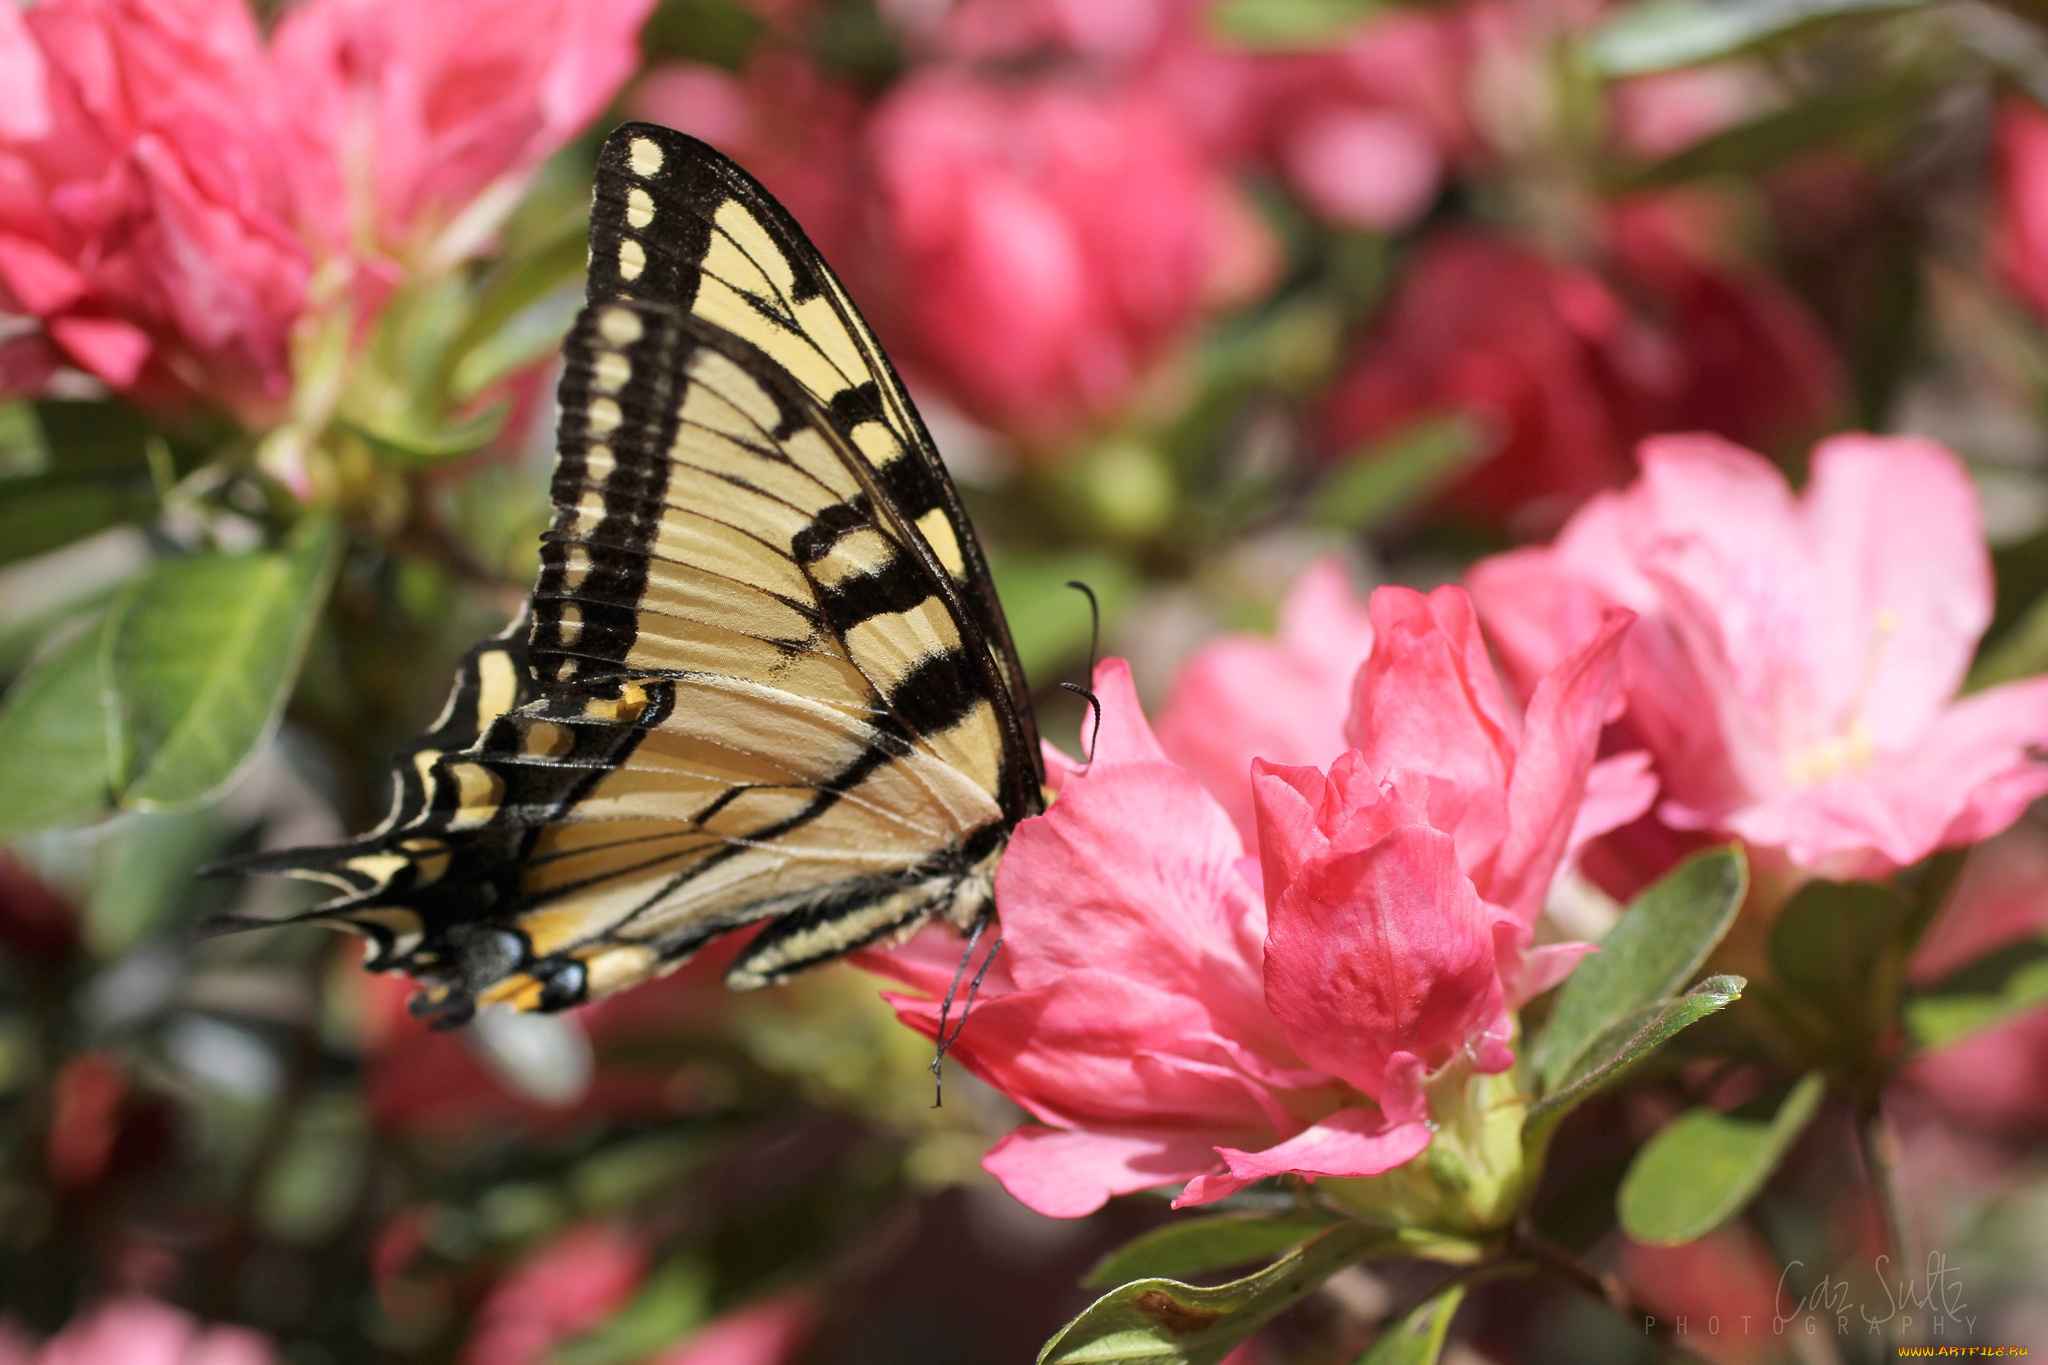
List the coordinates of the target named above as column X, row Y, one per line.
column 1838, row 955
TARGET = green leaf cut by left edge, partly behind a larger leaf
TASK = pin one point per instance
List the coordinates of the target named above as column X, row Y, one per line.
column 54, row 725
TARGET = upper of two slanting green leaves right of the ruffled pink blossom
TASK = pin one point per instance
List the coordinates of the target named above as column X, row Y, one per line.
column 1648, row 957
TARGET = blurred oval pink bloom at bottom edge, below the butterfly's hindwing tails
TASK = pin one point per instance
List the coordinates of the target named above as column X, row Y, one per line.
column 570, row 1286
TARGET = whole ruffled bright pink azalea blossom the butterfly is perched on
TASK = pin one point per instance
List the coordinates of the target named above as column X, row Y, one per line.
column 1162, row 1034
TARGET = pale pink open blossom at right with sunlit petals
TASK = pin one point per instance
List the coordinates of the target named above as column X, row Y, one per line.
column 1797, row 664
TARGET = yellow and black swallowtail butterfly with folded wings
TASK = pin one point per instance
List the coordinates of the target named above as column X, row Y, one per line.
column 763, row 676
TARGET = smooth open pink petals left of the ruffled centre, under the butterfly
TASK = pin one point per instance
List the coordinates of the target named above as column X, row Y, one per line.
column 1127, row 1010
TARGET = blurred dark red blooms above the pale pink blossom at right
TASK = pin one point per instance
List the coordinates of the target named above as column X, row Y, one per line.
column 1566, row 376
